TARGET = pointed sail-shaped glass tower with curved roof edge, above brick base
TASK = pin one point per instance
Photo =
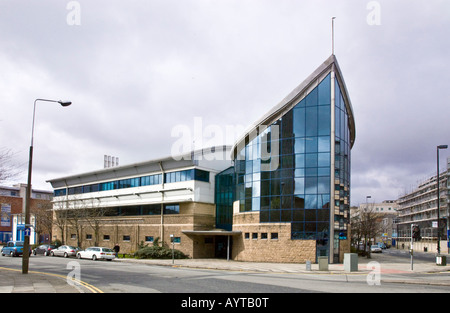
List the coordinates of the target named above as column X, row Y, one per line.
column 293, row 166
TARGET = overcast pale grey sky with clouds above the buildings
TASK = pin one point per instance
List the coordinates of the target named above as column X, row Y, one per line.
column 135, row 70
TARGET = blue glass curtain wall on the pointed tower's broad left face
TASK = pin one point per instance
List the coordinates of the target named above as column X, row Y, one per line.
column 295, row 188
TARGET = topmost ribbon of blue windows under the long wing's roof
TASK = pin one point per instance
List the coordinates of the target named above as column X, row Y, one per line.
column 172, row 177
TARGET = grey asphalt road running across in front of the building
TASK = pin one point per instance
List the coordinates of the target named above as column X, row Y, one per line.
column 122, row 277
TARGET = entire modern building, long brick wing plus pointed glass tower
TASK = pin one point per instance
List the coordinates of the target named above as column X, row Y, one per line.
column 283, row 196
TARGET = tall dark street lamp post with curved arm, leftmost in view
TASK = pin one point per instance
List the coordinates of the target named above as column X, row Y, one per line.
column 26, row 242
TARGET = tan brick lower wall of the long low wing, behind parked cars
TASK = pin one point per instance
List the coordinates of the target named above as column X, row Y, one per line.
column 193, row 216
